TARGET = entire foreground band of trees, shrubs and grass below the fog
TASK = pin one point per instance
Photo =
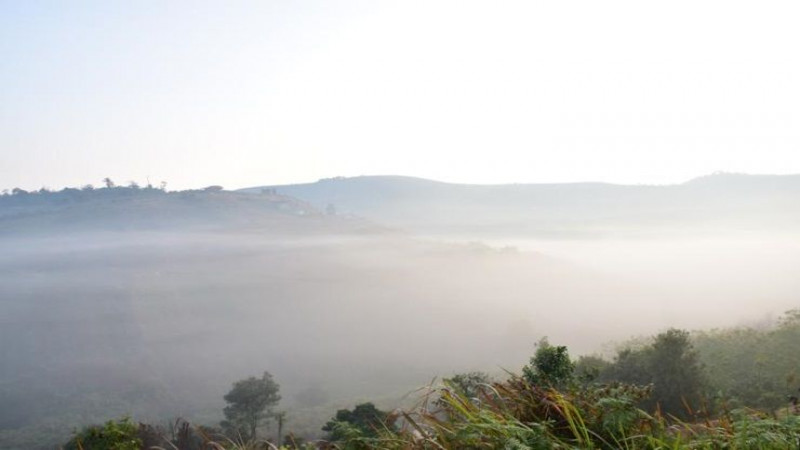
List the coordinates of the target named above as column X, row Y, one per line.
column 674, row 390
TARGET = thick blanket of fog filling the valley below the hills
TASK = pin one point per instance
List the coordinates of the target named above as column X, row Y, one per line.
column 159, row 324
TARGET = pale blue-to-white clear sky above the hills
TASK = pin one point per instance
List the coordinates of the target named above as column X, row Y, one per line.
column 242, row 94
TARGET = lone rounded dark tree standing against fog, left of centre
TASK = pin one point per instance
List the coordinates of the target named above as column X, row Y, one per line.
column 250, row 403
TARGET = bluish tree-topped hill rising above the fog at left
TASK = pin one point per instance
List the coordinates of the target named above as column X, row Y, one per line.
column 134, row 208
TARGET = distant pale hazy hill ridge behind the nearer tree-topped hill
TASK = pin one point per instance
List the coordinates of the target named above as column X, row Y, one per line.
column 719, row 202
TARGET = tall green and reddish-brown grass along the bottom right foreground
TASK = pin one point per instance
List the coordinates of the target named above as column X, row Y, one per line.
column 517, row 415
